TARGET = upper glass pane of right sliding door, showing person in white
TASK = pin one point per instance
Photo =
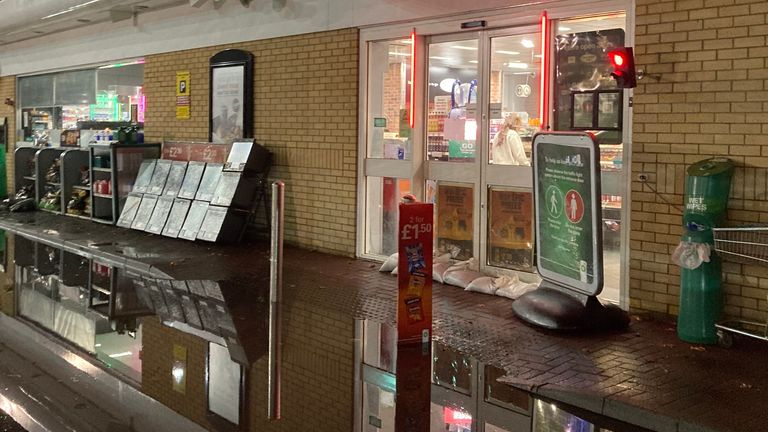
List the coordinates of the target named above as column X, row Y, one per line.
column 514, row 98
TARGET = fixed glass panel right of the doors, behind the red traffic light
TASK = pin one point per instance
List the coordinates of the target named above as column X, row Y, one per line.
column 582, row 66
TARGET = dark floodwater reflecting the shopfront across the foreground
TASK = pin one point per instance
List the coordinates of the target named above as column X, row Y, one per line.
column 201, row 349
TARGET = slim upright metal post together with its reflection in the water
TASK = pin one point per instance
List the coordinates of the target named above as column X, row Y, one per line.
column 275, row 297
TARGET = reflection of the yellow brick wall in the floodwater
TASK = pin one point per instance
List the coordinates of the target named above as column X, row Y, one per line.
column 317, row 372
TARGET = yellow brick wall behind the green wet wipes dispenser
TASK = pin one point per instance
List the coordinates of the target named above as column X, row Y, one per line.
column 709, row 97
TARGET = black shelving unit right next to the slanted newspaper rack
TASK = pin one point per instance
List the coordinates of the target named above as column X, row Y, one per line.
column 118, row 164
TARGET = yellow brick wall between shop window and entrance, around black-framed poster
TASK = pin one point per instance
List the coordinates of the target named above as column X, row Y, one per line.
column 305, row 112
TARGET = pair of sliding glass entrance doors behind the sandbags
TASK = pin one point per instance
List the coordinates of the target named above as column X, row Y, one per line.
column 482, row 110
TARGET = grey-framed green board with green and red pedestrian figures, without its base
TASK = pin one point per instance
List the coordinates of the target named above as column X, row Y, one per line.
column 567, row 202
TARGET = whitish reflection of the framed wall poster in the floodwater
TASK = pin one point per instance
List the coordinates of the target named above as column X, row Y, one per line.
column 223, row 383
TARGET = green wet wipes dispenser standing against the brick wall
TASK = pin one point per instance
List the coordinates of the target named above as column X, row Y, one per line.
column 707, row 186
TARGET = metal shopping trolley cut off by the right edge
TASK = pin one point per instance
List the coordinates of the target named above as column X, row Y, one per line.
column 746, row 245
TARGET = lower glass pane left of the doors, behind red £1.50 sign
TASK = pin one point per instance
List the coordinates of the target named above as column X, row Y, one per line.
column 383, row 195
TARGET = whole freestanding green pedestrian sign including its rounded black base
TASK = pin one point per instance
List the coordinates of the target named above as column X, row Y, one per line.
column 567, row 198
